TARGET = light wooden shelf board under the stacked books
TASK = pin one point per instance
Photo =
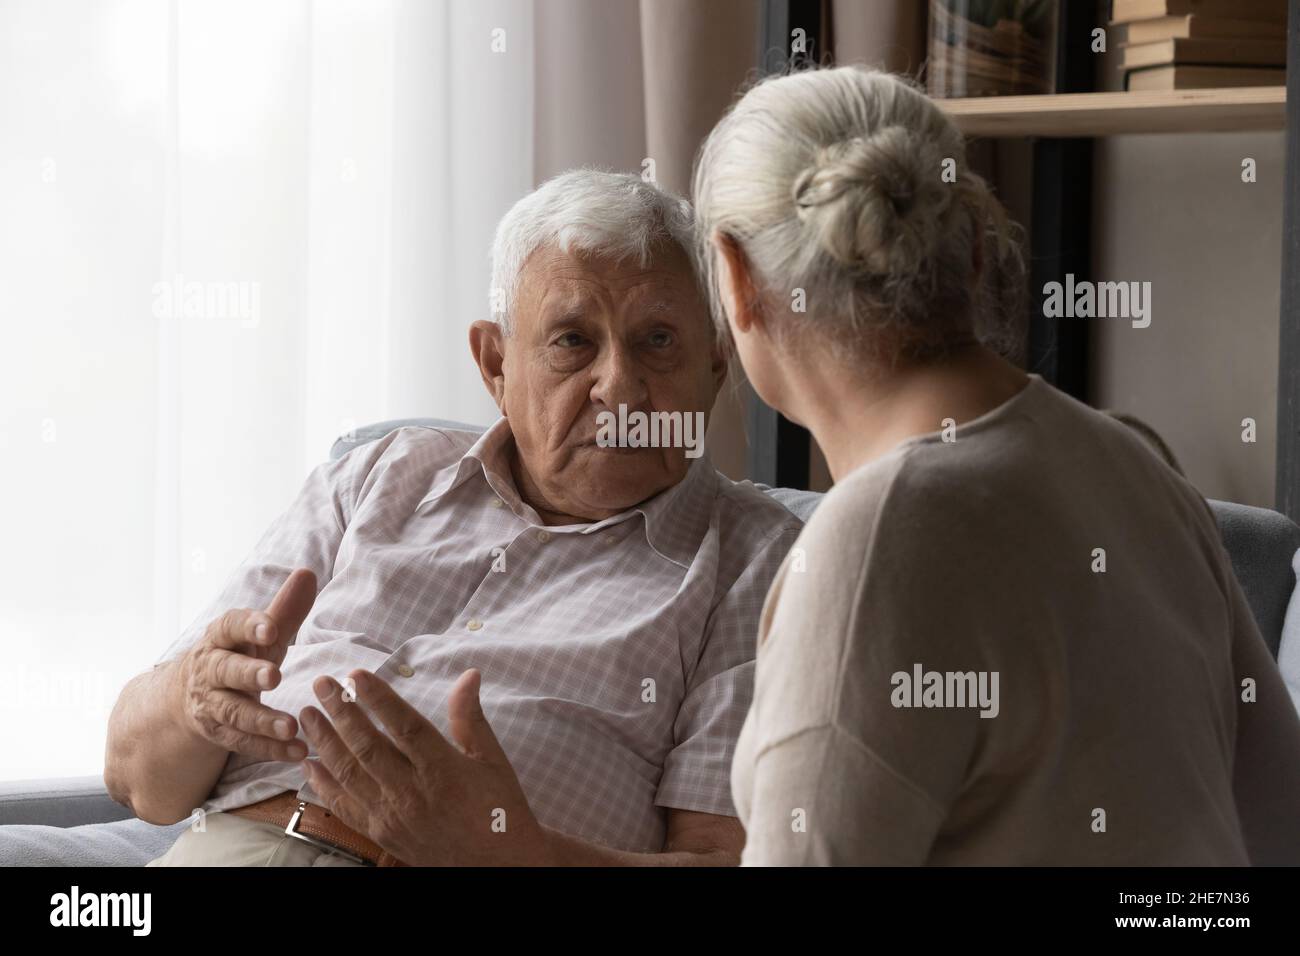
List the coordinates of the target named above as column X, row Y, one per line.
column 1111, row 114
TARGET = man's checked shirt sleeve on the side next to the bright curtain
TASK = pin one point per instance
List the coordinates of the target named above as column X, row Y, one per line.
column 306, row 535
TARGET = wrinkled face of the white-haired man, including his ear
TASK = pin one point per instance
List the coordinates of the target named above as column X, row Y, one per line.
column 590, row 335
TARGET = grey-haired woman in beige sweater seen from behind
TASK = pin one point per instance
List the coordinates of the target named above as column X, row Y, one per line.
column 1009, row 635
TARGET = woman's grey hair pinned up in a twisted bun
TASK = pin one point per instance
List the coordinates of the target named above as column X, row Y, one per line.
column 852, row 187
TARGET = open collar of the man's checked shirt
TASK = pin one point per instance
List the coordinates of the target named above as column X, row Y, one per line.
column 675, row 521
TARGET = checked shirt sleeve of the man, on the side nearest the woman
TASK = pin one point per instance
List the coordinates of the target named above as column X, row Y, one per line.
column 697, row 772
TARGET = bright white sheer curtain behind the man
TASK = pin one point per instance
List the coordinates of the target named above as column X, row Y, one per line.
column 229, row 232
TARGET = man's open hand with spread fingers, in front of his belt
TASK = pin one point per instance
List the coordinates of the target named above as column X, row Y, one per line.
column 419, row 797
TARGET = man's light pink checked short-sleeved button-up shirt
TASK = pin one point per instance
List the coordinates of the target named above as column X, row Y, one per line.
column 428, row 564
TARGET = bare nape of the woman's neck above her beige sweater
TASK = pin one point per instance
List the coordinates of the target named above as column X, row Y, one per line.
column 861, row 414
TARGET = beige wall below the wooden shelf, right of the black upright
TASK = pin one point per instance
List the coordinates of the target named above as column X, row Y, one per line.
column 1173, row 210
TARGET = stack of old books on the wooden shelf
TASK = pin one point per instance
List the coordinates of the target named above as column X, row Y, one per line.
column 1198, row 45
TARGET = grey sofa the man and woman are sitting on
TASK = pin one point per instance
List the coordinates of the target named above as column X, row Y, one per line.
column 75, row 823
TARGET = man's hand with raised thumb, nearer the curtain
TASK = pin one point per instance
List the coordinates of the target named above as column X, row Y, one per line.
column 223, row 677
